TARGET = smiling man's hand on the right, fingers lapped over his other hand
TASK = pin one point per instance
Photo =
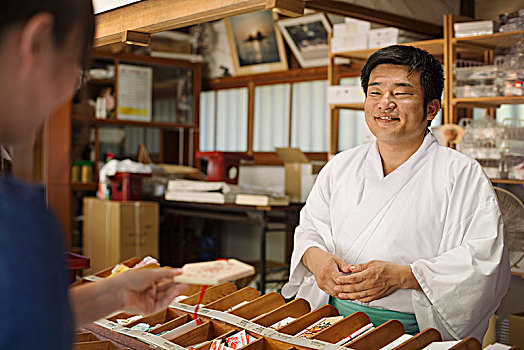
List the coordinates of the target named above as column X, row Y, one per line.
column 374, row 280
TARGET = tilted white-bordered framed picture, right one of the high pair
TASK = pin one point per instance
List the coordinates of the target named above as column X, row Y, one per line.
column 307, row 37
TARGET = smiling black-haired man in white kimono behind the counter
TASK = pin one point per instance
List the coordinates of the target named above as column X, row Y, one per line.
column 402, row 227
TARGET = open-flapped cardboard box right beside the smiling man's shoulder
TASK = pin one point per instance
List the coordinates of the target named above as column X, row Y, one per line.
column 300, row 173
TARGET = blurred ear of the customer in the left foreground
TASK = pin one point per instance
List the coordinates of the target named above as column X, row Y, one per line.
column 35, row 36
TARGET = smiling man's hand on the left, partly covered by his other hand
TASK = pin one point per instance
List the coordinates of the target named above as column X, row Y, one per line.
column 326, row 268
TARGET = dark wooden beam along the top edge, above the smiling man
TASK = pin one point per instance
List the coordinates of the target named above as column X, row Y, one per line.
column 368, row 14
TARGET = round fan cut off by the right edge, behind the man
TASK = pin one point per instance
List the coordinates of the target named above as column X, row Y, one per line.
column 512, row 211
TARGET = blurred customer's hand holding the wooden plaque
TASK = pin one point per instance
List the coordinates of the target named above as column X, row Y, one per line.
column 145, row 291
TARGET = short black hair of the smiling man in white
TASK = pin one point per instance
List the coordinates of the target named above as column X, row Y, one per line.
column 431, row 71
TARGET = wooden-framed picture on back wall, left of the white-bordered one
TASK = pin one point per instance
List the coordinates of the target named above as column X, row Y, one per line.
column 256, row 45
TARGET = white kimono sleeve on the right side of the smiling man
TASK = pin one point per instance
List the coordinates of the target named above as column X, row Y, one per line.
column 464, row 284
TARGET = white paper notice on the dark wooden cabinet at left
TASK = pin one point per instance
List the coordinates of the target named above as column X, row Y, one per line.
column 134, row 92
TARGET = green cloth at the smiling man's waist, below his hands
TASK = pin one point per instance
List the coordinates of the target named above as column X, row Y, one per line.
column 376, row 316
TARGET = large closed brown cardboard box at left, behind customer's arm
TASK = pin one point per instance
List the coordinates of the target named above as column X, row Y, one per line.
column 116, row 231
